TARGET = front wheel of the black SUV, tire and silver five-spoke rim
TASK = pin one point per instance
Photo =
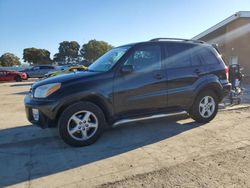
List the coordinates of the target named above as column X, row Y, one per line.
column 81, row 124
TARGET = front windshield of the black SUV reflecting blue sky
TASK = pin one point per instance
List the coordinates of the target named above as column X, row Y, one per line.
column 108, row 60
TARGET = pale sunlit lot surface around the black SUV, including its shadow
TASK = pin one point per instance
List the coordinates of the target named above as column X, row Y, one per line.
column 172, row 152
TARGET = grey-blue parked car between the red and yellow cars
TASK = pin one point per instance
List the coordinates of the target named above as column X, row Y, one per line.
column 39, row 71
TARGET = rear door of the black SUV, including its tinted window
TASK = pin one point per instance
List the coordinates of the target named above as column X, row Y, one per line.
column 184, row 69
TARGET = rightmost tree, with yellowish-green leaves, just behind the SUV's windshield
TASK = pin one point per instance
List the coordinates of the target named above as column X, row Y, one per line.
column 94, row 49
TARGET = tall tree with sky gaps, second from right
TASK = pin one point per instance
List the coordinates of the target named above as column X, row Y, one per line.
column 68, row 51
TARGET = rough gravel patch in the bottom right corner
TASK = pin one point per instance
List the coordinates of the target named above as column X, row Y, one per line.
column 224, row 169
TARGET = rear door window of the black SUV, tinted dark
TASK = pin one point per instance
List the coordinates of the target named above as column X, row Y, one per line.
column 178, row 55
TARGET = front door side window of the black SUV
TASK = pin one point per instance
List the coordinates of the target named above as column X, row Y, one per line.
column 145, row 59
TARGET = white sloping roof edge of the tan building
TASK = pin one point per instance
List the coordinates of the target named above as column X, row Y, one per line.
column 241, row 14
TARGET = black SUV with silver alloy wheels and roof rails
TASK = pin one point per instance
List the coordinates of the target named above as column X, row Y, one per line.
column 131, row 82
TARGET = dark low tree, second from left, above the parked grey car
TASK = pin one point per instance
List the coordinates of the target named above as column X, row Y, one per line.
column 36, row 56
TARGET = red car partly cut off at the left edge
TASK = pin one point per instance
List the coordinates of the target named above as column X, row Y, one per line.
column 7, row 75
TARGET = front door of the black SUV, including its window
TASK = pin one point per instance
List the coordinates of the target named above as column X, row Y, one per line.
column 144, row 89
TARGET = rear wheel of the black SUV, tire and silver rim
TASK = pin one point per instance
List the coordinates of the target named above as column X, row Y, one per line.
column 201, row 111
